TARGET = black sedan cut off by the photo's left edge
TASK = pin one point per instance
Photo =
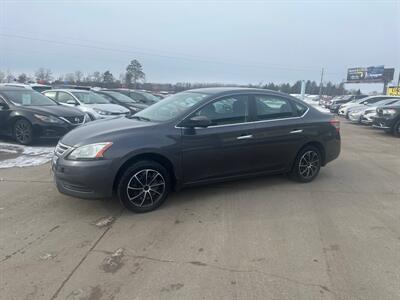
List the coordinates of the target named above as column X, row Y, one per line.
column 26, row 114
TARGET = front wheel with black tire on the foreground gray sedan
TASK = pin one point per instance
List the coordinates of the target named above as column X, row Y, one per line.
column 139, row 194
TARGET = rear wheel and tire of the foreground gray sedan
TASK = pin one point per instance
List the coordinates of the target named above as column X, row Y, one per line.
column 307, row 164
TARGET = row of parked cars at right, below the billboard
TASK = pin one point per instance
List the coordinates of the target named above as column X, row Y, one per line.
column 381, row 111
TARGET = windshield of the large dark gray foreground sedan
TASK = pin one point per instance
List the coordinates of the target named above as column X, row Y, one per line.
column 171, row 107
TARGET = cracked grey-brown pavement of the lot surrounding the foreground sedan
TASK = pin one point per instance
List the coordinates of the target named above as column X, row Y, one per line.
column 266, row 238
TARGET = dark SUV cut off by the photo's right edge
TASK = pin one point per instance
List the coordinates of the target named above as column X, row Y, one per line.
column 388, row 118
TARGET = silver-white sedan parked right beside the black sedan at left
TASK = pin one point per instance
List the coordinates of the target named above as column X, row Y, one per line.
column 96, row 106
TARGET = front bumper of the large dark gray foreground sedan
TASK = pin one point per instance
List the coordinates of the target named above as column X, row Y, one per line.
column 83, row 179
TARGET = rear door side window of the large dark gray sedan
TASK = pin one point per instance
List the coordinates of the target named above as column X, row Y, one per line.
column 273, row 107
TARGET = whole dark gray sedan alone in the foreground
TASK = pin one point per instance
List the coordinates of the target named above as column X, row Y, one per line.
column 195, row 137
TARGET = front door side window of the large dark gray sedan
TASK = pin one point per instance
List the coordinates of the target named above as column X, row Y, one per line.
column 228, row 110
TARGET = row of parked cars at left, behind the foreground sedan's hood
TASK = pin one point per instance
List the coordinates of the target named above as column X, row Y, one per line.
column 26, row 114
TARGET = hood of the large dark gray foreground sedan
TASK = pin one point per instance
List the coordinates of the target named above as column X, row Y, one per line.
column 107, row 130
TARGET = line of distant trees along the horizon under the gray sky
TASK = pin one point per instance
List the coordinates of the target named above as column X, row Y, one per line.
column 134, row 77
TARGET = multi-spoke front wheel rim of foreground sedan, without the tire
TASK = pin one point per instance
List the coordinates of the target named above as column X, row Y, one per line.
column 145, row 188
